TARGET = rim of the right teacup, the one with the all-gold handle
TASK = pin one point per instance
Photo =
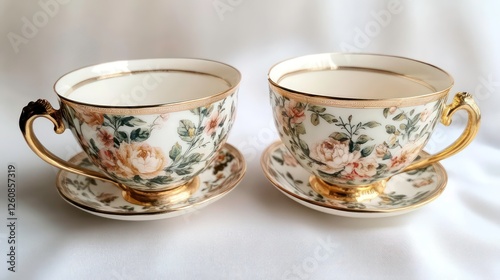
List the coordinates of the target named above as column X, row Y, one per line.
column 349, row 102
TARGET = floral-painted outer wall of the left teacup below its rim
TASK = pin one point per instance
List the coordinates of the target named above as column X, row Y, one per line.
column 141, row 151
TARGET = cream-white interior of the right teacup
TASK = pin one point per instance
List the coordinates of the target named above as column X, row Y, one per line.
column 359, row 76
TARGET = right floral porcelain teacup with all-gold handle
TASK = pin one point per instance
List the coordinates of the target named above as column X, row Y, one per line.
column 355, row 120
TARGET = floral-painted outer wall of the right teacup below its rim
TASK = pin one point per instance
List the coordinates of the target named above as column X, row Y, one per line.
column 353, row 148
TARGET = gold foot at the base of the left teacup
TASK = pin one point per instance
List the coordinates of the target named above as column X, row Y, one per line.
column 156, row 198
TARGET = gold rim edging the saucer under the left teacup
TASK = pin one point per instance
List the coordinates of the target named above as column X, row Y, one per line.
column 235, row 152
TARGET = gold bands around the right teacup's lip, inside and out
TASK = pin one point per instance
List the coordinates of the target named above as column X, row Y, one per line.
column 346, row 102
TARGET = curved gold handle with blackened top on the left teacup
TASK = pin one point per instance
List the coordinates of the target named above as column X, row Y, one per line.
column 42, row 108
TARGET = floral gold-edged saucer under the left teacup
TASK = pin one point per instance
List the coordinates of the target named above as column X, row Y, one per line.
column 105, row 199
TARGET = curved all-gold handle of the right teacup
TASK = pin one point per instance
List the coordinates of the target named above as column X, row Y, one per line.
column 461, row 101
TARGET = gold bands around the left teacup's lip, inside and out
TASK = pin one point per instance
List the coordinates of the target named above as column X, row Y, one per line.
column 150, row 109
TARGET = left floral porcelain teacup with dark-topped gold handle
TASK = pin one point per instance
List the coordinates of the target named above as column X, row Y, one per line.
column 150, row 126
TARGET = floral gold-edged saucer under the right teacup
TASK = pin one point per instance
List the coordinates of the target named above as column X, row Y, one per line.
column 403, row 193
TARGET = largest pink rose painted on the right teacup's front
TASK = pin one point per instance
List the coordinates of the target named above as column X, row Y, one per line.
column 334, row 154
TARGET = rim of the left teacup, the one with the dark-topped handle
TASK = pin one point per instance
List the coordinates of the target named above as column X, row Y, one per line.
column 153, row 108
